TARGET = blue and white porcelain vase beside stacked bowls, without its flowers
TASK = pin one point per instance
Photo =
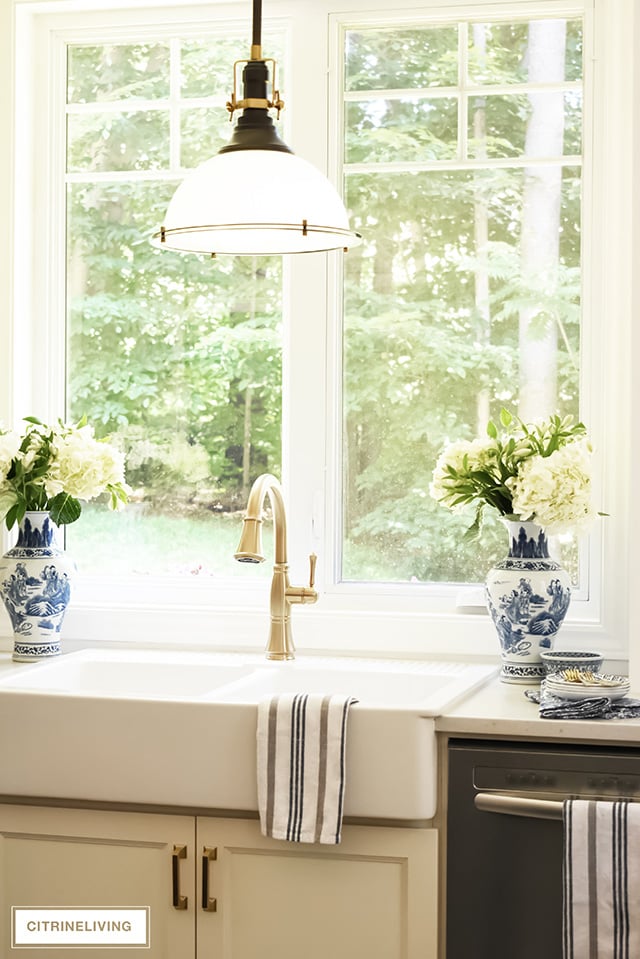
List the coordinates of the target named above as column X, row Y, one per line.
column 528, row 596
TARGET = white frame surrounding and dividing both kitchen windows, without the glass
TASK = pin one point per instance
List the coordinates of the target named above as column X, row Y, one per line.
column 393, row 619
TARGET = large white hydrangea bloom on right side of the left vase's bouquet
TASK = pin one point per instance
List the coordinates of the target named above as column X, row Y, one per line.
column 82, row 466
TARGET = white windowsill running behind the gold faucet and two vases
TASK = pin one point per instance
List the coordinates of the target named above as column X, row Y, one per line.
column 324, row 628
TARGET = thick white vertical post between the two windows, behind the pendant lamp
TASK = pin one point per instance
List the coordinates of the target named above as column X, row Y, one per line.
column 304, row 386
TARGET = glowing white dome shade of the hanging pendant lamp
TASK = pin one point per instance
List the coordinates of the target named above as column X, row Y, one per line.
column 256, row 202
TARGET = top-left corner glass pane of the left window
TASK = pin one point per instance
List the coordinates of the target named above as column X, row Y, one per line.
column 117, row 72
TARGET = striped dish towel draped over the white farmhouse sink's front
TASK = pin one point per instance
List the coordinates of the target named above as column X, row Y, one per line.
column 301, row 762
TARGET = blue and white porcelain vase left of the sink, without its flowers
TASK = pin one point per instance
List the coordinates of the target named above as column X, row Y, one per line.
column 35, row 586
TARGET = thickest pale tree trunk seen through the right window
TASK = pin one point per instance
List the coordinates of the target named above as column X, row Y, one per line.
column 539, row 245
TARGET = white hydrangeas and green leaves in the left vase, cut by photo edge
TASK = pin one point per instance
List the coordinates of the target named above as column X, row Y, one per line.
column 53, row 468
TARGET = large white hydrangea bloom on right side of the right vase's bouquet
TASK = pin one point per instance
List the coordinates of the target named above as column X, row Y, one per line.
column 555, row 491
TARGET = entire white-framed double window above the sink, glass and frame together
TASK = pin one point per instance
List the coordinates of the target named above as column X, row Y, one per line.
column 476, row 170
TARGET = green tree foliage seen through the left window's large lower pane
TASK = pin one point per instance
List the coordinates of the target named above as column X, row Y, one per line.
column 170, row 350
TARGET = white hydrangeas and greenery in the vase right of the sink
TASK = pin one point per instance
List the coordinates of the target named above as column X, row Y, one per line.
column 536, row 472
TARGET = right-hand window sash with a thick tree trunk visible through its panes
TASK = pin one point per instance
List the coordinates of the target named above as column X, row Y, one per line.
column 463, row 149
